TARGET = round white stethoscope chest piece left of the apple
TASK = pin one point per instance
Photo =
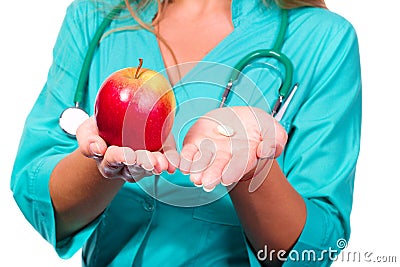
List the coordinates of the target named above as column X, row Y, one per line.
column 71, row 119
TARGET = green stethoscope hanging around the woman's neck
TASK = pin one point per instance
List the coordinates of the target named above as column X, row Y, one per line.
column 72, row 117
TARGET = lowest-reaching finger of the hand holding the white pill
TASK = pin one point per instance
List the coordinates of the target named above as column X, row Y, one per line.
column 212, row 175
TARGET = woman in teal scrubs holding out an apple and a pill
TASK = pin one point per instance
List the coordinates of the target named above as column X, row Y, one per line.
column 292, row 210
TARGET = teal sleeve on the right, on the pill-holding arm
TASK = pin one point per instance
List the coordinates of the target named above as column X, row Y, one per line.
column 321, row 154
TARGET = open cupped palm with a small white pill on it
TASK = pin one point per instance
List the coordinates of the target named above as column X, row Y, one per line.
column 225, row 144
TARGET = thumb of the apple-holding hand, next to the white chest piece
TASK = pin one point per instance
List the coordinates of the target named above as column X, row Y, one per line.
column 90, row 143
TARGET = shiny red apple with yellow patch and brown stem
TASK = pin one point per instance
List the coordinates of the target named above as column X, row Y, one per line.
column 135, row 107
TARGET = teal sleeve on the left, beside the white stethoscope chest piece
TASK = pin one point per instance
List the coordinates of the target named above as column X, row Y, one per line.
column 43, row 144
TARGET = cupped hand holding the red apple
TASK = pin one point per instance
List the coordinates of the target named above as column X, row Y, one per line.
column 123, row 162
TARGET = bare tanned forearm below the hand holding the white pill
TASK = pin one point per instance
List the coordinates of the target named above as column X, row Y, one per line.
column 274, row 214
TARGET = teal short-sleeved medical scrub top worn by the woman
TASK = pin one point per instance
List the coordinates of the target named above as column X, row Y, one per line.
column 165, row 221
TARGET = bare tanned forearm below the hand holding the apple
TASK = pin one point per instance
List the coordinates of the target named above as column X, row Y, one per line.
column 79, row 193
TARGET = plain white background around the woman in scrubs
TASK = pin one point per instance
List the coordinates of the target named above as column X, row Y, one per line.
column 28, row 32
